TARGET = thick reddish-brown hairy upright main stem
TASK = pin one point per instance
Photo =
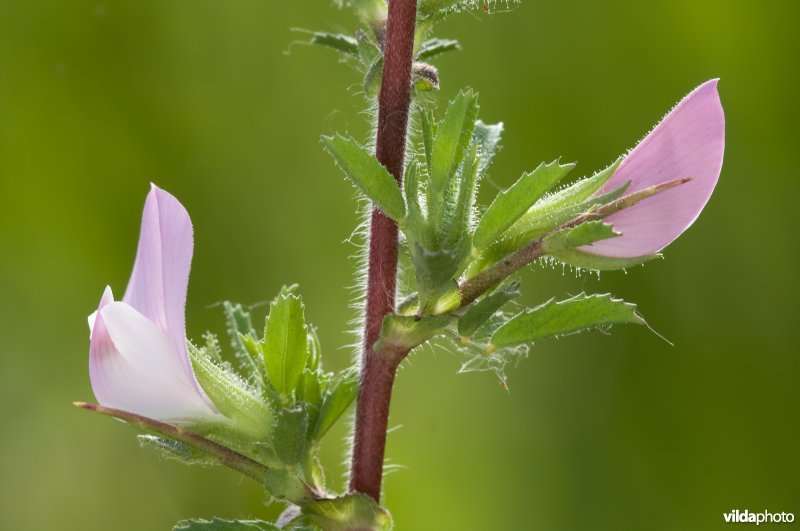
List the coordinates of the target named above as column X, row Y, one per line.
column 378, row 368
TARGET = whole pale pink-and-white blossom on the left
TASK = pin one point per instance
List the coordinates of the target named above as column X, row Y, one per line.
column 138, row 360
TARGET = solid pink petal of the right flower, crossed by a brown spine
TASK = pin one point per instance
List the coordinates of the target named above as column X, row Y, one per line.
column 689, row 142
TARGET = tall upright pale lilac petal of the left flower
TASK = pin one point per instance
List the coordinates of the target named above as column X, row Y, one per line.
column 157, row 287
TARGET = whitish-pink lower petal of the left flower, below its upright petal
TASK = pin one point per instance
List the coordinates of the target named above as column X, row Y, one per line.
column 133, row 367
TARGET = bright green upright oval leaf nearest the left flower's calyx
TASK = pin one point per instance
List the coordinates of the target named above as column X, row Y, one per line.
column 285, row 342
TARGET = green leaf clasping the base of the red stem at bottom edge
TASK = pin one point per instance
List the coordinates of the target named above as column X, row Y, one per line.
column 354, row 511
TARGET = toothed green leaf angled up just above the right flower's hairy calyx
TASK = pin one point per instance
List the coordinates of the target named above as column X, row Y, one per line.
column 512, row 203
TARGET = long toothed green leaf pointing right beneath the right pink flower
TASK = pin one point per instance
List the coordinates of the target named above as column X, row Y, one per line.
column 552, row 318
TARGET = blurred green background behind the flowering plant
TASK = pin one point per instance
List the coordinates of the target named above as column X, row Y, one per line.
column 623, row 432
